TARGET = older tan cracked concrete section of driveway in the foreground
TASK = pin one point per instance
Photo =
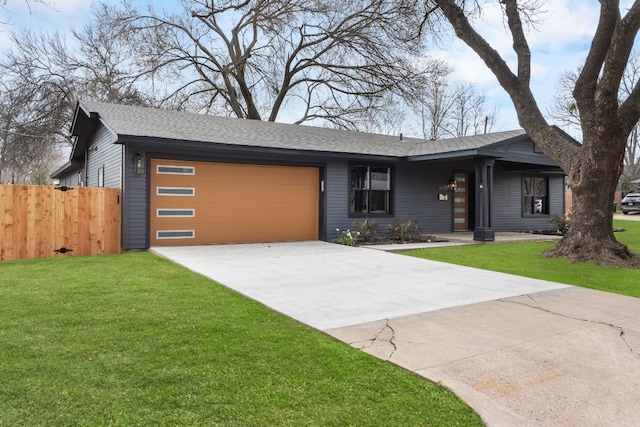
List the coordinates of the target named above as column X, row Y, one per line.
column 559, row 358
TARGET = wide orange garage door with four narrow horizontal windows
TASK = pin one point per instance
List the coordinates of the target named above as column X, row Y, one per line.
column 198, row 203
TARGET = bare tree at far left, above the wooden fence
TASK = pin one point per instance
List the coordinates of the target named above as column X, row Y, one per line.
column 41, row 78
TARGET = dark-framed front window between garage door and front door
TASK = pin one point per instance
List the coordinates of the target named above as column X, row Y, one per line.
column 370, row 190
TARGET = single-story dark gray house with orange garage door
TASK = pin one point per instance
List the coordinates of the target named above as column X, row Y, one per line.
column 195, row 179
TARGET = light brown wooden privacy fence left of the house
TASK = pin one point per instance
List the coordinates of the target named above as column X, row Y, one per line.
column 41, row 221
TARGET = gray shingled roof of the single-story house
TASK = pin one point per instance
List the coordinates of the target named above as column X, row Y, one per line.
column 130, row 121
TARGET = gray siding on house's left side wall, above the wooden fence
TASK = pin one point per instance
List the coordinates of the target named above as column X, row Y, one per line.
column 103, row 153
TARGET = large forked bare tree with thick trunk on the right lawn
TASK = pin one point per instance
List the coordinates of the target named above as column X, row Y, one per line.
column 606, row 121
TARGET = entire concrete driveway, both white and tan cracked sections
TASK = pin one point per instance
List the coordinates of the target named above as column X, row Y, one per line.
column 519, row 351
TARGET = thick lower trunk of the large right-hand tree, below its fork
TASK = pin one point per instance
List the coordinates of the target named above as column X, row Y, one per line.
column 593, row 180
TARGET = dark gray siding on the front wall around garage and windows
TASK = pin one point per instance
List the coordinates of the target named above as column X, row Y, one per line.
column 415, row 192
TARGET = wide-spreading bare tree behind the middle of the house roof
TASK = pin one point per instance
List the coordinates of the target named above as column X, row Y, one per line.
column 330, row 60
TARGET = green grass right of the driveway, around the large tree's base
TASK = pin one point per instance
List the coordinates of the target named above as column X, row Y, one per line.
column 524, row 259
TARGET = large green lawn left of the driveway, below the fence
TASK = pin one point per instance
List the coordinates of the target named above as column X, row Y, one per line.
column 133, row 339
